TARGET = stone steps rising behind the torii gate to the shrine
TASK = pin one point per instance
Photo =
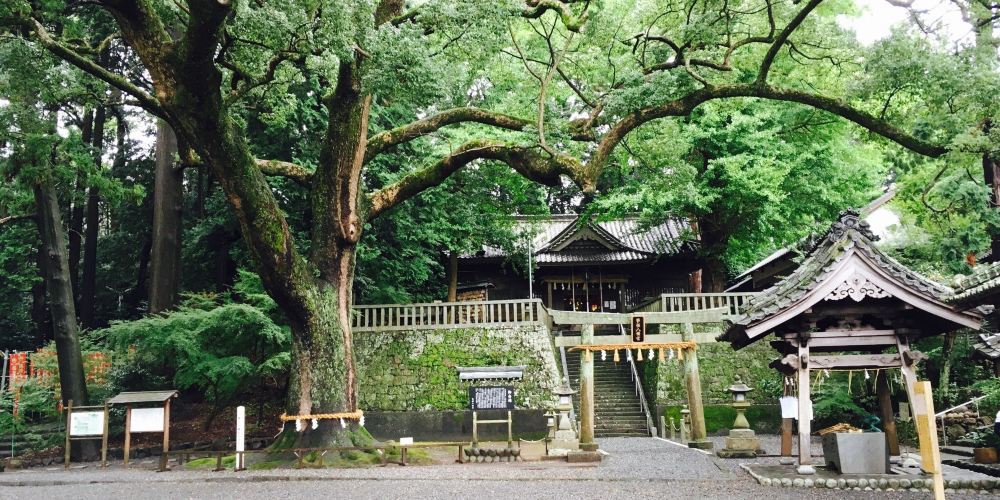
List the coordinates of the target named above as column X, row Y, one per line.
column 617, row 411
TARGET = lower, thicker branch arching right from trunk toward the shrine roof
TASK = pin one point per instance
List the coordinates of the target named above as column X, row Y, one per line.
column 532, row 163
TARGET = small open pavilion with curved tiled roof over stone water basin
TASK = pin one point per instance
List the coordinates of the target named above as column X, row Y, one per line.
column 847, row 307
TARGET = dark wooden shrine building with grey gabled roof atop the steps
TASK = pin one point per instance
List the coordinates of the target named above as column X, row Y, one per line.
column 583, row 265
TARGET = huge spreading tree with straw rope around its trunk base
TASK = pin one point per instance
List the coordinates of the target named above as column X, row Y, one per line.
column 549, row 87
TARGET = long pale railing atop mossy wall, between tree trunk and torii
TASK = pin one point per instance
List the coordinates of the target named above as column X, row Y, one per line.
column 440, row 315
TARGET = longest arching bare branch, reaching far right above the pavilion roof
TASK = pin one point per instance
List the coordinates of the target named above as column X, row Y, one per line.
column 686, row 104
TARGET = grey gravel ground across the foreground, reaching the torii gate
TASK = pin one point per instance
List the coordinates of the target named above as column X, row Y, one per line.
column 634, row 467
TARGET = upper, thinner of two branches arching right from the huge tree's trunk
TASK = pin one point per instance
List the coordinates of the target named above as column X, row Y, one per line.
column 385, row 140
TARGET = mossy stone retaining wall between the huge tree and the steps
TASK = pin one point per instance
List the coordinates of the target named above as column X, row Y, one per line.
column 416, row 369
